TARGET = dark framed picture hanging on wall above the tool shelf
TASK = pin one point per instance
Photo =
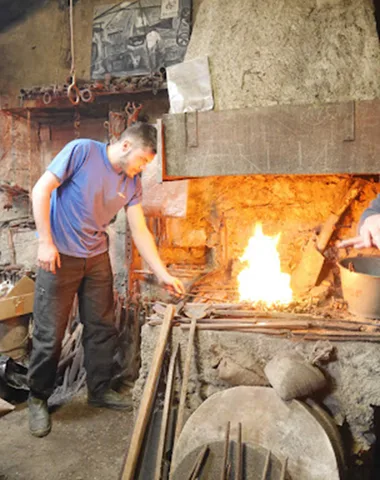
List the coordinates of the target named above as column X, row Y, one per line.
column 139, row 37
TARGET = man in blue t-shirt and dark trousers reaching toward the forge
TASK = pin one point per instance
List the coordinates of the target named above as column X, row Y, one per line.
column 74, row 201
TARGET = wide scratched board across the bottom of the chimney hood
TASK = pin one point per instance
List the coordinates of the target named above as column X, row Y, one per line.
column 286, row 139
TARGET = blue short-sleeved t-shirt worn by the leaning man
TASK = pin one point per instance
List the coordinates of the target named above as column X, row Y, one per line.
column 90, row 195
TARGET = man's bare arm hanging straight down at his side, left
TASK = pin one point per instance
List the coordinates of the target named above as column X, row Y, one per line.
column 48, row 256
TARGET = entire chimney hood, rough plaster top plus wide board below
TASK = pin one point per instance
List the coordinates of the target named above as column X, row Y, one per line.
column 296, row 88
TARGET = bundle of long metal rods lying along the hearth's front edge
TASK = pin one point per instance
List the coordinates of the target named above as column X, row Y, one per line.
column 242, row 318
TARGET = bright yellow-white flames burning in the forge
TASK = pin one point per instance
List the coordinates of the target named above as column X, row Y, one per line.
column 262, row 279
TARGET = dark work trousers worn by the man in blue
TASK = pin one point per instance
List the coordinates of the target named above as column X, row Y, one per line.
column 92, row 279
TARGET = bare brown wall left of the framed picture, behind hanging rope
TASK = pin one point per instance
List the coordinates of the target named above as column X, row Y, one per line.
column 36, row 52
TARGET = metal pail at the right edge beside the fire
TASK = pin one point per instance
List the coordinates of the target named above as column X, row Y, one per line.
column 360, row 278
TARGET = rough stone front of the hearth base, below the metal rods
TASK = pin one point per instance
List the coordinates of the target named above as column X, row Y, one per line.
column 353, row 373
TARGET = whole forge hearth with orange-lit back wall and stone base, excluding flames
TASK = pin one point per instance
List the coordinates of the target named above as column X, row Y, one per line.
column 235, row 340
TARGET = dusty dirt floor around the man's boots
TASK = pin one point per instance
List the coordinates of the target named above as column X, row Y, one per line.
column 86, row 443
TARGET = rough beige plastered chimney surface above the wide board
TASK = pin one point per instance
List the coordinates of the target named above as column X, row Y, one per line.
column 288, row 52
